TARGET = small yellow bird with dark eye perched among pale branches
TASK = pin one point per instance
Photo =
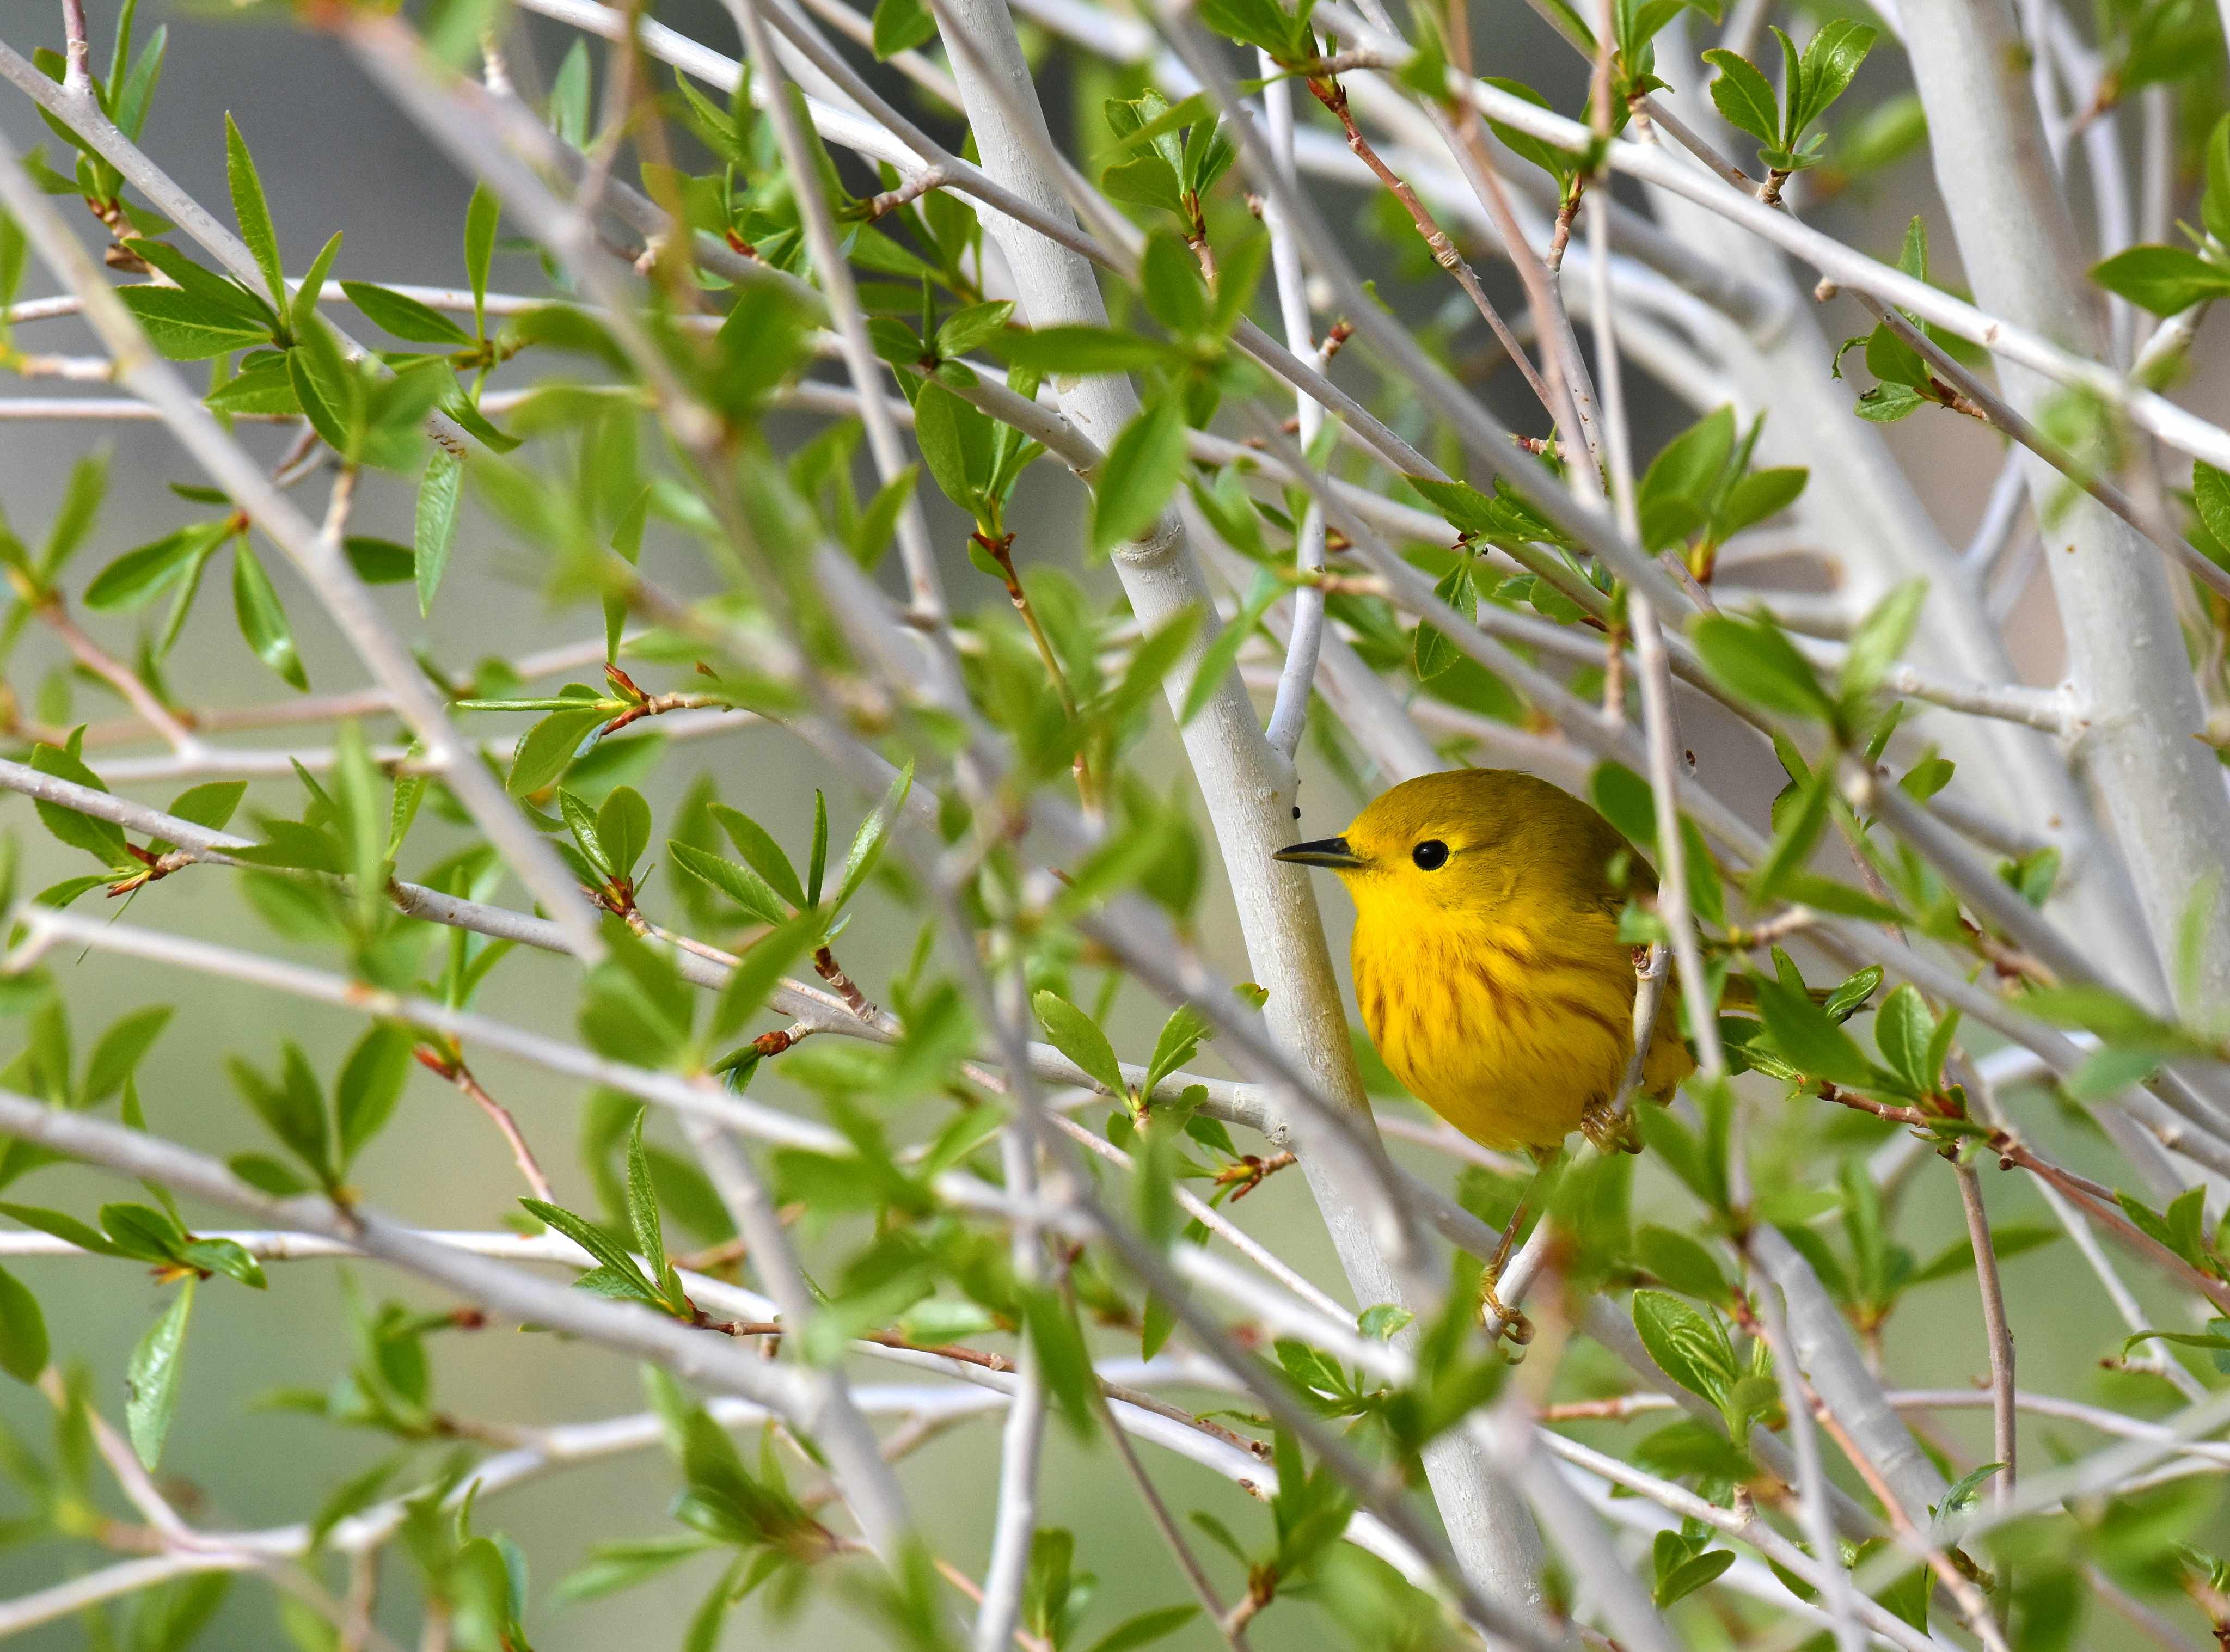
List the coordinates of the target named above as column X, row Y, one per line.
column 1489, row 960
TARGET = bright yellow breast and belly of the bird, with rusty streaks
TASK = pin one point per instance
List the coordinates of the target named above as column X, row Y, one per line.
column 1511, row 1022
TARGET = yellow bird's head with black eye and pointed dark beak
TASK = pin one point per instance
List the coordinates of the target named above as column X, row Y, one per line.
column 1473, row 842
